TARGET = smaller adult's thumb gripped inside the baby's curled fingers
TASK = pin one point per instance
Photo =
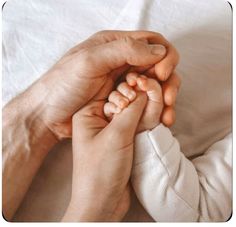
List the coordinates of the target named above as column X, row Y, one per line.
column 122, row 128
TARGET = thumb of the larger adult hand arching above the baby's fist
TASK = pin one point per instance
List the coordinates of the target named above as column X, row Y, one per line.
column 109, row 56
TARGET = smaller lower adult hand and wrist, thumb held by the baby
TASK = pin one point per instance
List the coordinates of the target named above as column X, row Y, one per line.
column 102, row 160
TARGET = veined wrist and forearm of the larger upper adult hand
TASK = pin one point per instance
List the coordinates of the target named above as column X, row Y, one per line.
column 26, row 142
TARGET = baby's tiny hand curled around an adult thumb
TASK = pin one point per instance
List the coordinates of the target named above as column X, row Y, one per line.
column 126, row 93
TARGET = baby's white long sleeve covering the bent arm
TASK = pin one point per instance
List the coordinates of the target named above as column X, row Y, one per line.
column 172, row 188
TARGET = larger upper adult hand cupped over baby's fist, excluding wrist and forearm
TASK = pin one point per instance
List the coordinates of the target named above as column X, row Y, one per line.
column 81, row 73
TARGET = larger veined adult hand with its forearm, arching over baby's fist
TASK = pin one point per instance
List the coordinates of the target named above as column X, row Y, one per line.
column 37, row 119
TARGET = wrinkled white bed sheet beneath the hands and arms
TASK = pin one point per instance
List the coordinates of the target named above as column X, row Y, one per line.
column 36, row 33
